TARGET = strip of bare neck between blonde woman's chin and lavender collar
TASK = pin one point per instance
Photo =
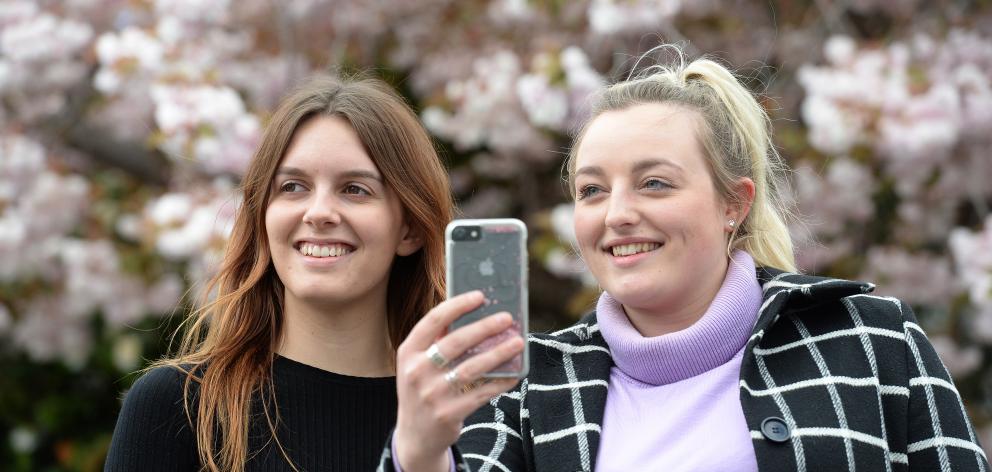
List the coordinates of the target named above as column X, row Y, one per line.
column 680, row 314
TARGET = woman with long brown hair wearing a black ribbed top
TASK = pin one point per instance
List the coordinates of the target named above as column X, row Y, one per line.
column 337, row 251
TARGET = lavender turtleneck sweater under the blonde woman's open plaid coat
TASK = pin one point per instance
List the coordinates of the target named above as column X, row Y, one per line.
column 673, row 401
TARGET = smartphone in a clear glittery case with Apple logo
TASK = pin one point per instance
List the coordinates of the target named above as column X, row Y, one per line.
column 490, row 255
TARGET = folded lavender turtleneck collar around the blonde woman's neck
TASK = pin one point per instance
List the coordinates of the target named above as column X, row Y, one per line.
column 712, row 341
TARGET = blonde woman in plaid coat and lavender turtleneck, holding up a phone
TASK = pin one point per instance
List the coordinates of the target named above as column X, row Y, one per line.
column 706, row 351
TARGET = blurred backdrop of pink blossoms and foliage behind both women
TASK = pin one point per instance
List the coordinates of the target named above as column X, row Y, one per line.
column 125, row 125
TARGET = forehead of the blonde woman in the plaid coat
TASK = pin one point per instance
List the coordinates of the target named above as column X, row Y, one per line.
column 646, row 131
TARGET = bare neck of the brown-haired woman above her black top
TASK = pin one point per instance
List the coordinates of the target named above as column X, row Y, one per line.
column 349, row 339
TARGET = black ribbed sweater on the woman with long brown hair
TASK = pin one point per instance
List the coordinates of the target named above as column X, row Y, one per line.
column 328, row 422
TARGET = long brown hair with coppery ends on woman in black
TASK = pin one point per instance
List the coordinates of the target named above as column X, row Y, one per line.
column 228, row 345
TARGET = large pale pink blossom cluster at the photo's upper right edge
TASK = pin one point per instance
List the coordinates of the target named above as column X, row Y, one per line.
column 866, row 97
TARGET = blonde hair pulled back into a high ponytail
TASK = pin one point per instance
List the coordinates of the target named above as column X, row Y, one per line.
column 736, row 134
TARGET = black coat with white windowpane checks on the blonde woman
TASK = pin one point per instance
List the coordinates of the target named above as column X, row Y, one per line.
column 852, row 377
